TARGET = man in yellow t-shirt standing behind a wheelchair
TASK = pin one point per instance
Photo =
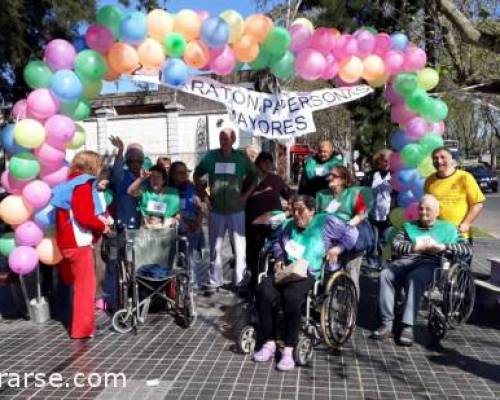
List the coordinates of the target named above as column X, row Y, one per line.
column 459, row 195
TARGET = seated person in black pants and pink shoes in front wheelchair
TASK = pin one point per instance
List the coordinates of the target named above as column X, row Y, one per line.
column 304, row 242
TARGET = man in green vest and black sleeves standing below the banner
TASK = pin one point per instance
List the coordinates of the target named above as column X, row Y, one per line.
column 316, row 169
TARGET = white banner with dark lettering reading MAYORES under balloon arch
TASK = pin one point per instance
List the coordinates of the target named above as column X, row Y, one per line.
column 274, row 116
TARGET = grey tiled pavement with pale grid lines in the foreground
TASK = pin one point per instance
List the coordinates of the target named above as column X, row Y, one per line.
column 165, row 361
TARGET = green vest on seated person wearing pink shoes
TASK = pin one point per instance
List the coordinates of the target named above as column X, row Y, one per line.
column 312, row 239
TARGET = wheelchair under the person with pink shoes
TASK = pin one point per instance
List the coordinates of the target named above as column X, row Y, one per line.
column 330, row 313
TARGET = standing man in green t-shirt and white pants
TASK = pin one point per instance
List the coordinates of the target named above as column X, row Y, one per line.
column 226, row 169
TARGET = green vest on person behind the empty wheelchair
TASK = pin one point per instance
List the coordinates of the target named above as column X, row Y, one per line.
column 165, row 204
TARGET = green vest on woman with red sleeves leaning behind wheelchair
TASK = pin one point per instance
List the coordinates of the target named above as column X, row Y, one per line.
column 346, row 201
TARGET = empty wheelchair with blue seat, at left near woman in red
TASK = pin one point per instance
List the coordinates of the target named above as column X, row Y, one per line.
column 153, row 264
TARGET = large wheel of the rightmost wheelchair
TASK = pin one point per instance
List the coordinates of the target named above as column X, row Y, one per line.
column 459, row 295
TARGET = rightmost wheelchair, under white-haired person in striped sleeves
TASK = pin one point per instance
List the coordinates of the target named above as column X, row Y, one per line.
column 450, row 296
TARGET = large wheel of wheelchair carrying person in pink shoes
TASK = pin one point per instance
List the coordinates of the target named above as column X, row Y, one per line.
column 338, row 310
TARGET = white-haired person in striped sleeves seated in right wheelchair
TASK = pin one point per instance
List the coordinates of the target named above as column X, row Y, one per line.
column 420, row 245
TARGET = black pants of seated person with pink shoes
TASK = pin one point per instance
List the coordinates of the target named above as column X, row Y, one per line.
column 291, row 296
